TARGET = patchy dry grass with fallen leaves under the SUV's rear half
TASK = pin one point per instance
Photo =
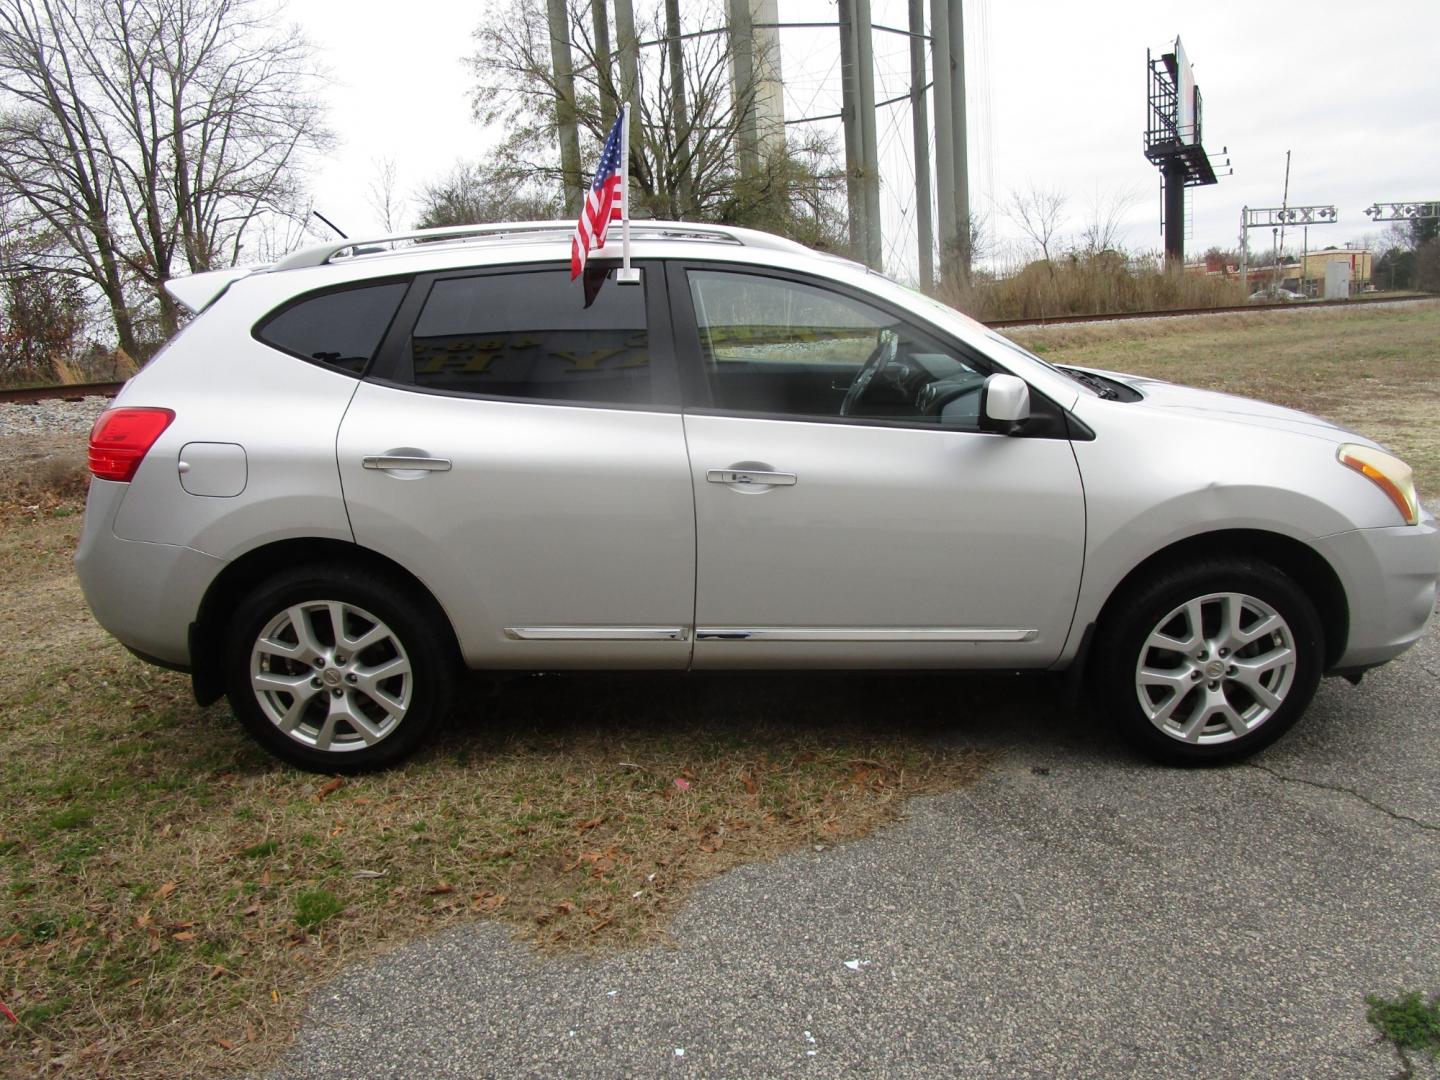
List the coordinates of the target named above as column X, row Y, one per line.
column 171, row 894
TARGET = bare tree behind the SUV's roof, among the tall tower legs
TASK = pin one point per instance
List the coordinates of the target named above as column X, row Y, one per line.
column 683, row 162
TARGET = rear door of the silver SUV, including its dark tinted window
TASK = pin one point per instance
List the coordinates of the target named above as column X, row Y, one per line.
column 519, row 449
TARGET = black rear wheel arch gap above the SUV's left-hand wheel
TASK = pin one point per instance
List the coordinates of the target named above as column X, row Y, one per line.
column 256, row 567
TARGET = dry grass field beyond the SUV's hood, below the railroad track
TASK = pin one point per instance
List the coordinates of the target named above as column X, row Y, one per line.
column 1373, row 369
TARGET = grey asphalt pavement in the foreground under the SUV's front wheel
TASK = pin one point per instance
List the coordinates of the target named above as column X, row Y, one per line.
column 1075, row 914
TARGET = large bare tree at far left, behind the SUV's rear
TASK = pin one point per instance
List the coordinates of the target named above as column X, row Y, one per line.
column 148, row 136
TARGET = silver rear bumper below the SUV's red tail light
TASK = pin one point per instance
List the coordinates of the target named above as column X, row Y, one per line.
column 145, row 594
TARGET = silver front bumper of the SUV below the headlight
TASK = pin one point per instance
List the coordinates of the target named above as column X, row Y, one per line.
column 1390, row 581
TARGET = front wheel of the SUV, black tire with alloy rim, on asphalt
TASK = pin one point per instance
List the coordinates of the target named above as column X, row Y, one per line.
column 1216, row 692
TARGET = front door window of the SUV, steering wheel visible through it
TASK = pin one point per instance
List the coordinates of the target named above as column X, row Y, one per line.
column 774, row 346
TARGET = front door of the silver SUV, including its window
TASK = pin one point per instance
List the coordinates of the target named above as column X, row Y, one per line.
column 849, row 508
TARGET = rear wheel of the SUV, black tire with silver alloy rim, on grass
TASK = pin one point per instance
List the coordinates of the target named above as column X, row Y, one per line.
column 378, row 719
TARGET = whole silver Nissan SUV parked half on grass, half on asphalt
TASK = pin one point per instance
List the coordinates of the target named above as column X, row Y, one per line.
column 371, row 464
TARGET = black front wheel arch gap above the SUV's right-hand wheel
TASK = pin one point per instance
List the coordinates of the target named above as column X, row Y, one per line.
column 1307, row 567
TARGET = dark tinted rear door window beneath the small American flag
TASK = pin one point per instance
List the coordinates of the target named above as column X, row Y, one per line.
column 531, row 335
